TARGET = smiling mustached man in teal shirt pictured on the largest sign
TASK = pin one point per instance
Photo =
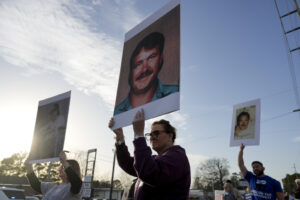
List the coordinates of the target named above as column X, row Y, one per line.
column 145, row 64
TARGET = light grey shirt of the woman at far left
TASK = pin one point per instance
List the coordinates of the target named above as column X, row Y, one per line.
column 55, row 191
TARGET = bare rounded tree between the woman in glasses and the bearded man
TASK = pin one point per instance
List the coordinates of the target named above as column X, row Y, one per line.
column 211, row 173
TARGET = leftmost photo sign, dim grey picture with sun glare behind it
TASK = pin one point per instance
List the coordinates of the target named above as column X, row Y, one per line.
column 50, row 128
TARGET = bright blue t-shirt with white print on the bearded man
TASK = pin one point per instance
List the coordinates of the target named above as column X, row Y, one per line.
column 263, row 188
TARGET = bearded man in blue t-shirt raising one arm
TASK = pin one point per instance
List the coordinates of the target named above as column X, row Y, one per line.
column 262, row 187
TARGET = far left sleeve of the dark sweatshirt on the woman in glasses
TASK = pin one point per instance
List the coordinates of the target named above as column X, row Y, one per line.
column 125, row 160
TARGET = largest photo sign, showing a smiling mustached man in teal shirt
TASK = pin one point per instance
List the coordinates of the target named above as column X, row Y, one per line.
column 150, row 67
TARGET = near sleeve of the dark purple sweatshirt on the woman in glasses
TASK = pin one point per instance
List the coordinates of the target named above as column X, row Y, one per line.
column 168, row 168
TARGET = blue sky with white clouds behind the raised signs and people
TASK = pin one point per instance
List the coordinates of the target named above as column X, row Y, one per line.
column 231, row 51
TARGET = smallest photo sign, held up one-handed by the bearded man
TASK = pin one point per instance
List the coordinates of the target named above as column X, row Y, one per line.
column 246, row 123
